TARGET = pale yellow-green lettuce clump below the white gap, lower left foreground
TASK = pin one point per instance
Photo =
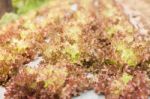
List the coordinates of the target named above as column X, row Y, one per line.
column 50, row 75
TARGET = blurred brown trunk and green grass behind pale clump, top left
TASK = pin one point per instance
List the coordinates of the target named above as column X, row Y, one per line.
column 19, row 6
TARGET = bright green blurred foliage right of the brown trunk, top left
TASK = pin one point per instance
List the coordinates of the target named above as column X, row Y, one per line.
column 24, row 6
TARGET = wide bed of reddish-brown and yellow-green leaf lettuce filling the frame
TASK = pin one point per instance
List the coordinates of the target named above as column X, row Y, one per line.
column 84, row 45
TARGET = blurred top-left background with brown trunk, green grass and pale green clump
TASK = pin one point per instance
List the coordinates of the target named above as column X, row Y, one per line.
column 12, row 9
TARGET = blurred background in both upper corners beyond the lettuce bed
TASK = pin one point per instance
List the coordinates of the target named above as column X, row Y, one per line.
column 141, row 7
